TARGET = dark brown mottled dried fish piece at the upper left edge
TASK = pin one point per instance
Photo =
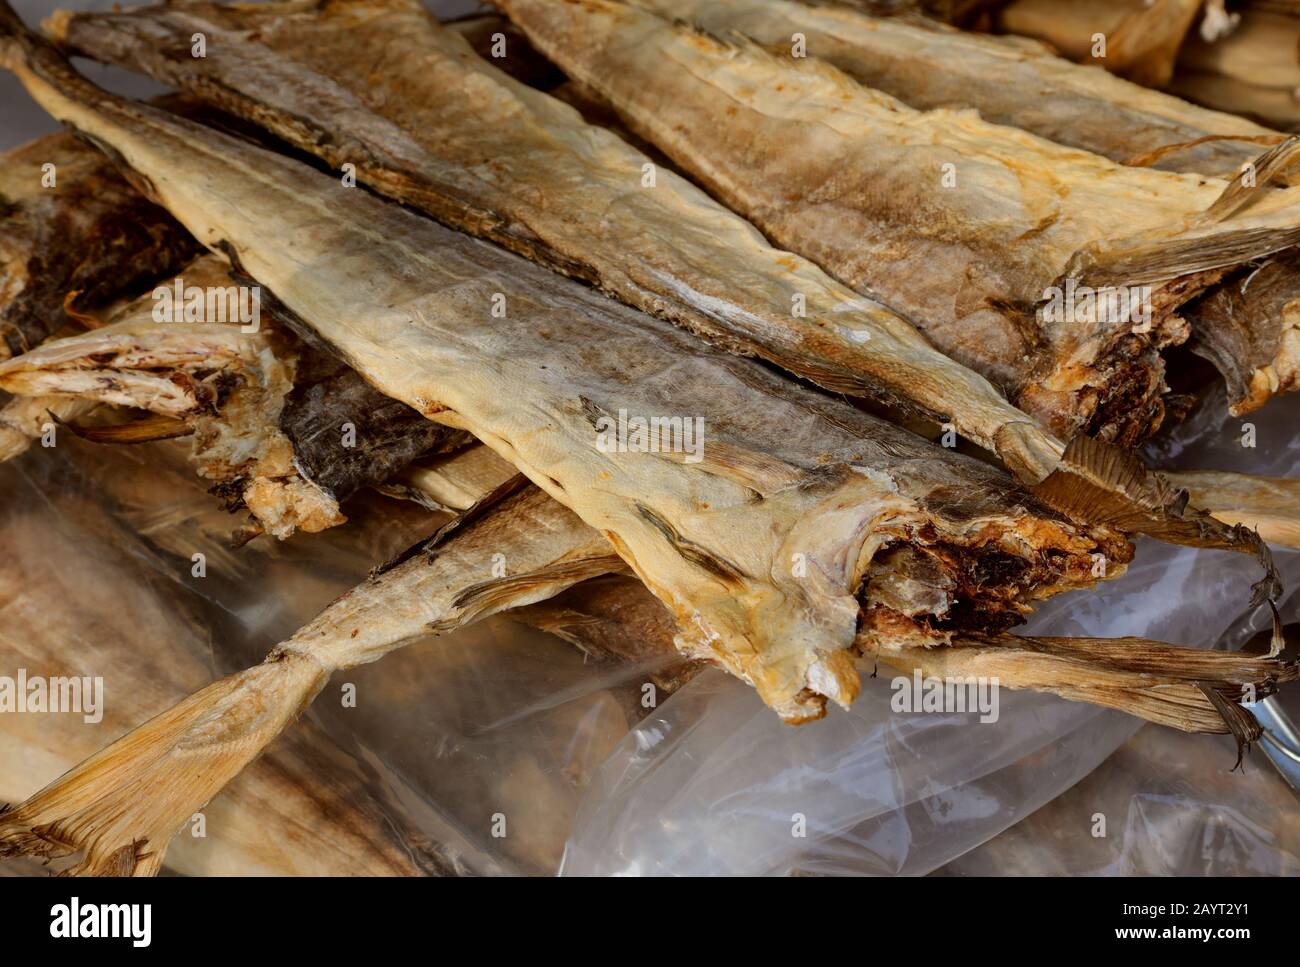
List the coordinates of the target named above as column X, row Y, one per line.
column 75, row 232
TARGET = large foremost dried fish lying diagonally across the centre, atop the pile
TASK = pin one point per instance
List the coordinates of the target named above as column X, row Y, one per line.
column 759, row 540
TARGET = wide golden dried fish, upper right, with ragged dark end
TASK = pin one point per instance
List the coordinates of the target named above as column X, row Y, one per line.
column 855, row 180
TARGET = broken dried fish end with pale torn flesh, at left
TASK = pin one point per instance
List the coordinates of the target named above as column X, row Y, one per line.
column 280, row 430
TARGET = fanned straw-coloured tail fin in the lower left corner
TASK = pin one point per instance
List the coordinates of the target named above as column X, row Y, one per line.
column 119, row 810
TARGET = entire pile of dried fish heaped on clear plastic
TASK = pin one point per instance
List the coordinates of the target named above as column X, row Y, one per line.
column 781, row 532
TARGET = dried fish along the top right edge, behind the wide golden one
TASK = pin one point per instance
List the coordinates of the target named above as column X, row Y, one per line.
column 929, row 68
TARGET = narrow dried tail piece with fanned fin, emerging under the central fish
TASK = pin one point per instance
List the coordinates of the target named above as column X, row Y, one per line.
column 120, row 809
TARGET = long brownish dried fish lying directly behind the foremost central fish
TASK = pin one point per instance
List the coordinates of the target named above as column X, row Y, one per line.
column 556, row 189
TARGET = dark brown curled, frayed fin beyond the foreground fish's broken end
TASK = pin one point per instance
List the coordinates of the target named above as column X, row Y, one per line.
column 1108, row 485
